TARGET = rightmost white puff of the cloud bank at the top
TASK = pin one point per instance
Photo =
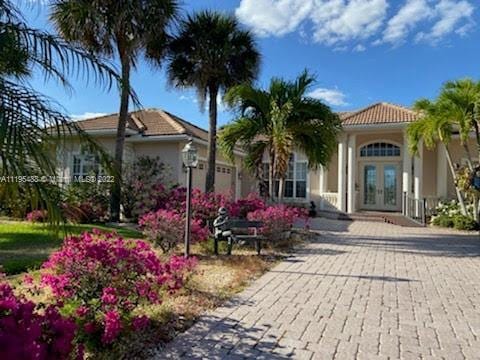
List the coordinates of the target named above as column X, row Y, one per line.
column 452, row 16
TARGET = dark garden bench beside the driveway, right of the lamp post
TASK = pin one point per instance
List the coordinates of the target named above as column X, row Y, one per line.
column 236, row 230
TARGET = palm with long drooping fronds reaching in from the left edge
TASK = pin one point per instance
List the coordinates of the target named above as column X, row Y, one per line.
column 31, row 124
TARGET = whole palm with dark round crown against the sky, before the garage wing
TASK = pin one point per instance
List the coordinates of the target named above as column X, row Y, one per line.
column 212, row 53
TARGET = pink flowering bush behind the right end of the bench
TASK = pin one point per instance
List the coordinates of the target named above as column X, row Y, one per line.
column 277, row 219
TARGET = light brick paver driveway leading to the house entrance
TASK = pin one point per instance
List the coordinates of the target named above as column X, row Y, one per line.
column 362, row 290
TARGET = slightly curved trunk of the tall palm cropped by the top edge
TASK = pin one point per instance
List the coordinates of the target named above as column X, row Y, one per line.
column 116, row 192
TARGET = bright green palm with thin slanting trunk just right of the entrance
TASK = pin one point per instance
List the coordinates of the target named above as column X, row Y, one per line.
column 435, row 125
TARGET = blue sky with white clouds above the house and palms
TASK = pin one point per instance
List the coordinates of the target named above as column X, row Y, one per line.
column 361, row 52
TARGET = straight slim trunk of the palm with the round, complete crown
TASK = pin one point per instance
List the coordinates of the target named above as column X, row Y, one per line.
column 212, row 139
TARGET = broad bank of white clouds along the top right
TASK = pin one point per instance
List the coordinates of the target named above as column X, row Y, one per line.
column 338, row 23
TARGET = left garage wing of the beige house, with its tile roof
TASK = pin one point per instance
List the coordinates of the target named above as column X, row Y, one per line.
column 154, row 132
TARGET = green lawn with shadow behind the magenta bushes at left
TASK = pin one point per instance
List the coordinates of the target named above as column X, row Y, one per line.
column 25, row 246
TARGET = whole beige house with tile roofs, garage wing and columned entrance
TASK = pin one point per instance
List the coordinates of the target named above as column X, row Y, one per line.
column 372, row 168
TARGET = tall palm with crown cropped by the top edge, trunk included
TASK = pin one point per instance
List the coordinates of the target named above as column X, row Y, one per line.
column 122, row 28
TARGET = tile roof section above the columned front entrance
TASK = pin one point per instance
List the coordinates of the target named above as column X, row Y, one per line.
column 380, row 113
